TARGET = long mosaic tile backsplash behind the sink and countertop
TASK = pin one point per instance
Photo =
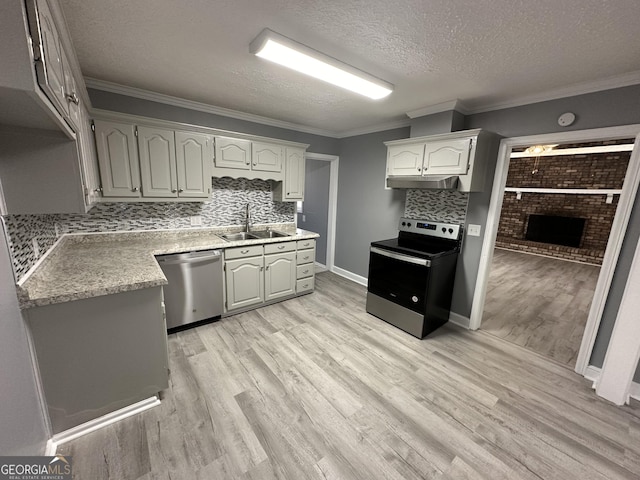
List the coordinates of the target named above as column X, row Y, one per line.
column 30, row 236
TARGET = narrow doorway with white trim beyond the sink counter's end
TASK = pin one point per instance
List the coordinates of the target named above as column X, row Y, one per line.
column 317, row 213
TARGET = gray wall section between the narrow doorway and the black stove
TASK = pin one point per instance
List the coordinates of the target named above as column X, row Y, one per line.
column 366, row 211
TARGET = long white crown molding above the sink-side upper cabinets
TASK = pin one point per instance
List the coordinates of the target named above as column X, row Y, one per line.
column 202, row 107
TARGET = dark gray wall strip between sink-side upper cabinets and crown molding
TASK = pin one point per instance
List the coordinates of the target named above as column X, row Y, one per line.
column 146, row 108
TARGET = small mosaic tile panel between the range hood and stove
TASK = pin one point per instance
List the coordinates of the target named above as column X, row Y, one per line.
column 438, row 205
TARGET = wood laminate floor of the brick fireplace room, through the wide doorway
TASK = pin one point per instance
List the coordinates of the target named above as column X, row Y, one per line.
column 539, row 302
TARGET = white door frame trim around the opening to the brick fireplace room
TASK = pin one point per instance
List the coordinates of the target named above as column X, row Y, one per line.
column 618, row 229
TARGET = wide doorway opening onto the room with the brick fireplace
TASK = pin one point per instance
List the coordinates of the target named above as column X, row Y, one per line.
column 558, row 208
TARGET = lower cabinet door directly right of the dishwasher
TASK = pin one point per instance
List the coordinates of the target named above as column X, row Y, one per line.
column 244, row 280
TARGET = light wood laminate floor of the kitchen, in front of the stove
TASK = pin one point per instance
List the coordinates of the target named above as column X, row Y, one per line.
column 316, row 388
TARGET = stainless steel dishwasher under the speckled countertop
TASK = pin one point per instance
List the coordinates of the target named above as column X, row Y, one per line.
column 194, row 293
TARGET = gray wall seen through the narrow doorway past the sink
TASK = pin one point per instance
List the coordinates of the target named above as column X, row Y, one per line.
column 315, row 214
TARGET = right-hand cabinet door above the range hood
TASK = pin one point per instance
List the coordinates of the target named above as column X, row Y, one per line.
column 447, row 157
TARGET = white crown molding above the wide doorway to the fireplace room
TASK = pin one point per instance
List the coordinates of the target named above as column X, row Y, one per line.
column 618, row 81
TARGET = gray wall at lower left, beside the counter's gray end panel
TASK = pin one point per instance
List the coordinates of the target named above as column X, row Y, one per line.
column 23, row 429
